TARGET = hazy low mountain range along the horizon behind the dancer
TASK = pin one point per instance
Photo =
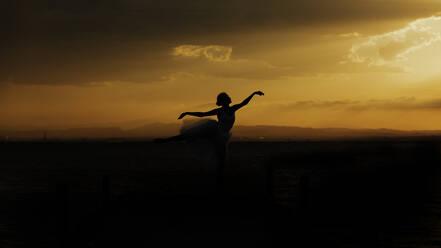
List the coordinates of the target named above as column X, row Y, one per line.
column 261, row 132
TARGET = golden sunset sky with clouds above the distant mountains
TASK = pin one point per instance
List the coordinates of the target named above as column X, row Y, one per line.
column 321, row 63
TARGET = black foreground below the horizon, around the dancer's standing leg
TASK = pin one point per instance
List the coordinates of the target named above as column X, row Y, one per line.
column 290, row 194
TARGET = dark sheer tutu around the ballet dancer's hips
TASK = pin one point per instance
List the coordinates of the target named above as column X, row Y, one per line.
column 204, row 137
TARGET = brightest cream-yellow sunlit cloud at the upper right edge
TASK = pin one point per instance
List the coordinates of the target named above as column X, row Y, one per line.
column 393, row 48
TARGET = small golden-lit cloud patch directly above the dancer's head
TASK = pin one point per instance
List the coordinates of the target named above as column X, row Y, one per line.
column 214, row 53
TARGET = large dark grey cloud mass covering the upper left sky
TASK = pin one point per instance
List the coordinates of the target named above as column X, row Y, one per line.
column 58, row 42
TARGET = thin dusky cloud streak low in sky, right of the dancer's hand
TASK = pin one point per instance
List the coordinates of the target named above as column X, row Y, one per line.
column 402, row 103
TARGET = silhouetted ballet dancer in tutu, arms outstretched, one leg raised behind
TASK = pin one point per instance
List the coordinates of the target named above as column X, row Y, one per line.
column 217, row 132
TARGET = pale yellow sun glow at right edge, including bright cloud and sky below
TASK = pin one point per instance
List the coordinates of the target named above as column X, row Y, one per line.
column 414, row 49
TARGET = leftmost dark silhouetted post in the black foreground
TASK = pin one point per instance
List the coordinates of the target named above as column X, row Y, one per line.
column 63, row 214
